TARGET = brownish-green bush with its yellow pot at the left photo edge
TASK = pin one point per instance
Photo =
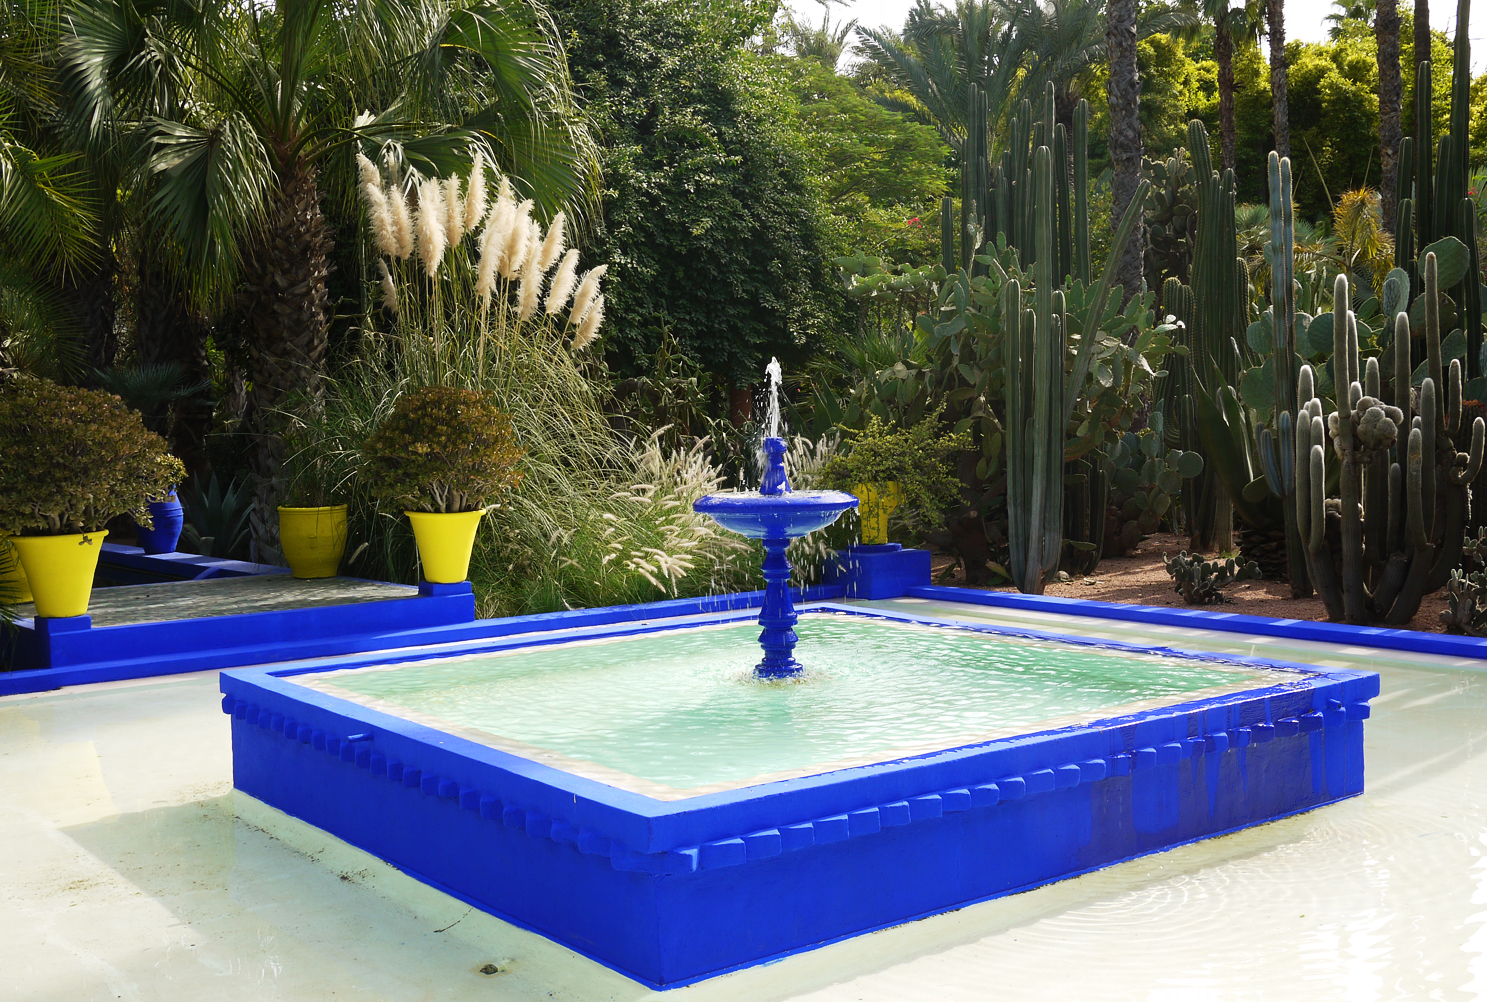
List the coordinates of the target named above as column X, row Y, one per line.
column 75, row 459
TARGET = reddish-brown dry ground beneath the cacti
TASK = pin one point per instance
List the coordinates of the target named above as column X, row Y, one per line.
column 1143, row 581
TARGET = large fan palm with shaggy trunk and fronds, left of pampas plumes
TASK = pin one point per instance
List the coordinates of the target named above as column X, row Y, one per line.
column 237, row 175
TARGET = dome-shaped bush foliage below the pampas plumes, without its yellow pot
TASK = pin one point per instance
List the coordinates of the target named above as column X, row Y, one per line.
column 442, row 450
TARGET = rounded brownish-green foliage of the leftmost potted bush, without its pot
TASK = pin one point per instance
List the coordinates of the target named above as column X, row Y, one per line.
column 74, row 459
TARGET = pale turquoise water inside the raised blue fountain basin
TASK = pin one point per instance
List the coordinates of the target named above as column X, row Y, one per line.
column 680, row 710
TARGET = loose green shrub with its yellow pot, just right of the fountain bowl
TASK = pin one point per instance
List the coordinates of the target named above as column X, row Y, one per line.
column 890, row 468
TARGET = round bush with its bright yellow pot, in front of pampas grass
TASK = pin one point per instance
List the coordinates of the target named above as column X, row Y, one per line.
column 447, row 457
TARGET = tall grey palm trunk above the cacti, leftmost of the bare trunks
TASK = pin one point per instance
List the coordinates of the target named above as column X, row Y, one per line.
column 1125, row 97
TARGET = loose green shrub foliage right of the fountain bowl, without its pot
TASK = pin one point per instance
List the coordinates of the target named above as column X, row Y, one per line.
column 920, row 459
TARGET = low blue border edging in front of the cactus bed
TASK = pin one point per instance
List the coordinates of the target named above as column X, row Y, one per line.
column 1210, row 619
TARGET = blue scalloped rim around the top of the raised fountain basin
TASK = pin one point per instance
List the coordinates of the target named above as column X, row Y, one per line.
column 741, row 826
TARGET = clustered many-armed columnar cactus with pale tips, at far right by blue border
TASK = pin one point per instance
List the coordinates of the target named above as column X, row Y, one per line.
column 1394, row 534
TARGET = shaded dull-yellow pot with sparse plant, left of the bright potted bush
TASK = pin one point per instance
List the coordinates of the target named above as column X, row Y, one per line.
column 313, row 526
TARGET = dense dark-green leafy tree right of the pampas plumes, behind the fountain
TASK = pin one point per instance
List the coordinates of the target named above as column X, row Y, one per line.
column 713, row 224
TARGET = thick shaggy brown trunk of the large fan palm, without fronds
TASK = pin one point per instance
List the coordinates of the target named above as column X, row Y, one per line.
column 286, row 289
